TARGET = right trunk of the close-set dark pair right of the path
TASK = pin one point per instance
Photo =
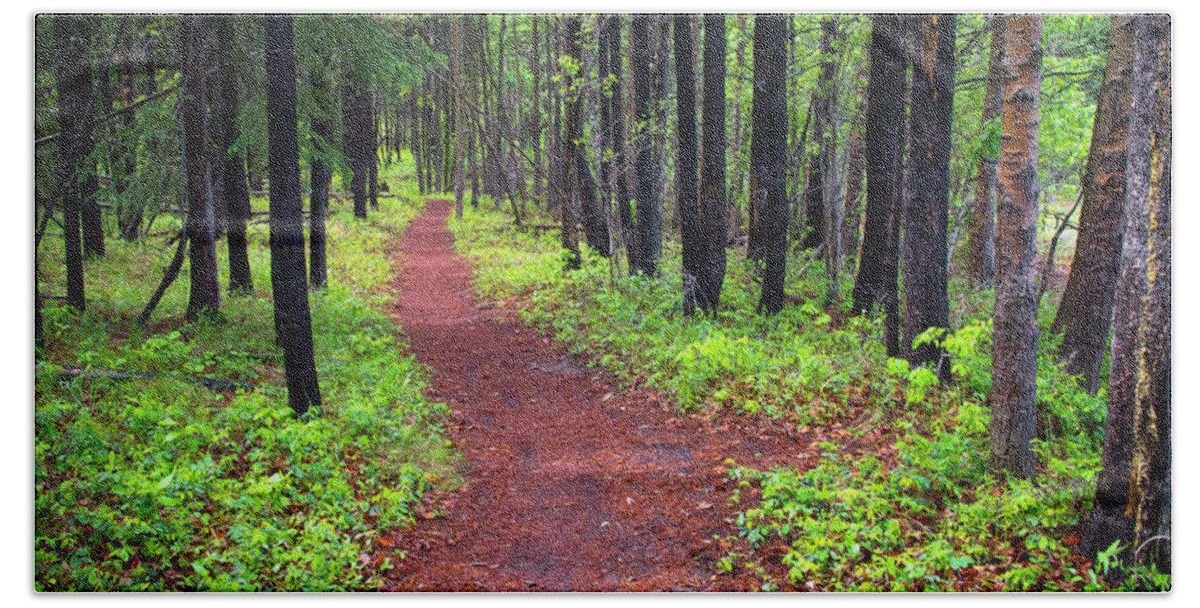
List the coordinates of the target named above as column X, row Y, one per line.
column 711, row 272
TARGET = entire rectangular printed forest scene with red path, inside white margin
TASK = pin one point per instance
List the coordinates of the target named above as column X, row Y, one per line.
column 791, row 303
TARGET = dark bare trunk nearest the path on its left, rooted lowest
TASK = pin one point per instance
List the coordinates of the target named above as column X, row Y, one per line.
column 293, row 324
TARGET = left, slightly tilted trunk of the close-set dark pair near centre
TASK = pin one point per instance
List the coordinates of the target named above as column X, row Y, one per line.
column 688, row 165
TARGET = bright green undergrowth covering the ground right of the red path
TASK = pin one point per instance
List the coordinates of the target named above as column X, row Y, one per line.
column 904, row 501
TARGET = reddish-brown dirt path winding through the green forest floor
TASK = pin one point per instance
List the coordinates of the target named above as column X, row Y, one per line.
column 574, row 485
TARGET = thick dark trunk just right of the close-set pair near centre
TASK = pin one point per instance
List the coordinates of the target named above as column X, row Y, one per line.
column 769, row 152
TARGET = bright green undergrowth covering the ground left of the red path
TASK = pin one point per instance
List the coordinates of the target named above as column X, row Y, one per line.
column 161, row 485
